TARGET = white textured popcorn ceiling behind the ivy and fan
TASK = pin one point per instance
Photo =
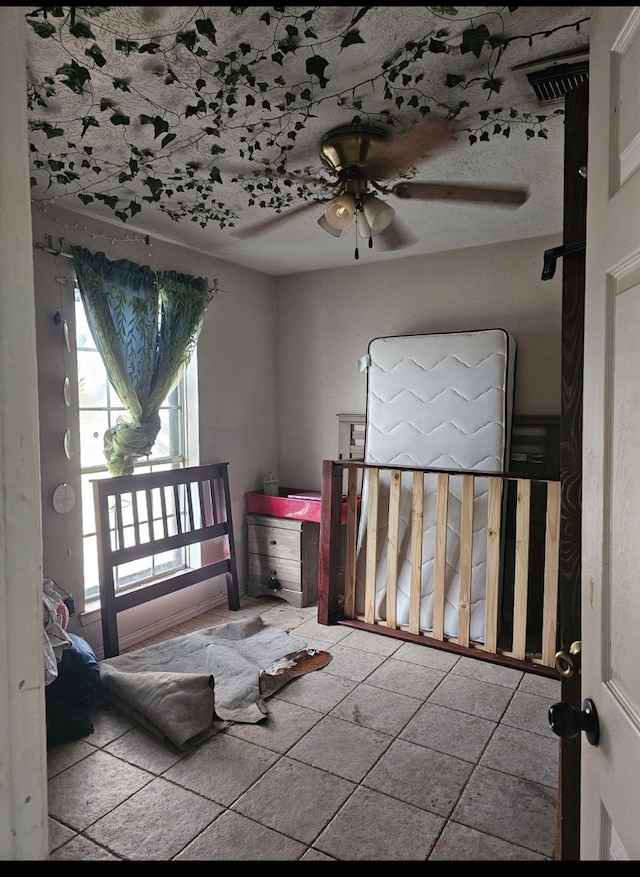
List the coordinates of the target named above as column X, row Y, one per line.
column 297, row 243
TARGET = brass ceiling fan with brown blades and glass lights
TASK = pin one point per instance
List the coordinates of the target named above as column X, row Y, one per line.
column 362, row 158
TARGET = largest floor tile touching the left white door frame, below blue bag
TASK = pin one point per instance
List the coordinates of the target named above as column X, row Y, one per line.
column 92, row 787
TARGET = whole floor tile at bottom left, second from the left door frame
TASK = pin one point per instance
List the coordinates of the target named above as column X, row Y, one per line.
column 156, row 823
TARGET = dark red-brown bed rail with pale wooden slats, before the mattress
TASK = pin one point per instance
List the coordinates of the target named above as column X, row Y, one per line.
column 521, row 563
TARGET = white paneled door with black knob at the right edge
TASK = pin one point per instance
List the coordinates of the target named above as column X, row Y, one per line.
column 610, row 772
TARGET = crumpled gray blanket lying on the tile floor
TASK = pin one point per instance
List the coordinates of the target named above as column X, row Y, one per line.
column 180, row 687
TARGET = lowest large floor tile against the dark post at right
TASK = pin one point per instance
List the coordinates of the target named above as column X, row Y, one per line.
column 513, row 809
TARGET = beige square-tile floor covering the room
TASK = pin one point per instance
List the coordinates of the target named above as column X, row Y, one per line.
column 391, row 752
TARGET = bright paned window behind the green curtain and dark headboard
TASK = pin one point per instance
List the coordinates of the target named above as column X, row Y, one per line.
column 99, row 409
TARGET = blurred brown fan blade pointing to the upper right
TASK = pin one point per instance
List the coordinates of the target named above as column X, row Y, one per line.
column 395, row 156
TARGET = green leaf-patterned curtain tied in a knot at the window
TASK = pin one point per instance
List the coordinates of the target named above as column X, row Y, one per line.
column 145, row 325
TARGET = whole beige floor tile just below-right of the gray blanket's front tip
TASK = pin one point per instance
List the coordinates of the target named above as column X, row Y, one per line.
column 222, row 769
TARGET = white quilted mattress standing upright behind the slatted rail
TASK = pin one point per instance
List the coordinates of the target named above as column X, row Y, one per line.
column 441, row 401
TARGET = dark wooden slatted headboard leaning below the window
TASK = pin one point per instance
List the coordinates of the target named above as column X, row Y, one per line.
column 147, row 514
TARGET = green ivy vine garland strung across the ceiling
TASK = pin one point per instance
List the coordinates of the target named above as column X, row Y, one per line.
column 216, row 92
